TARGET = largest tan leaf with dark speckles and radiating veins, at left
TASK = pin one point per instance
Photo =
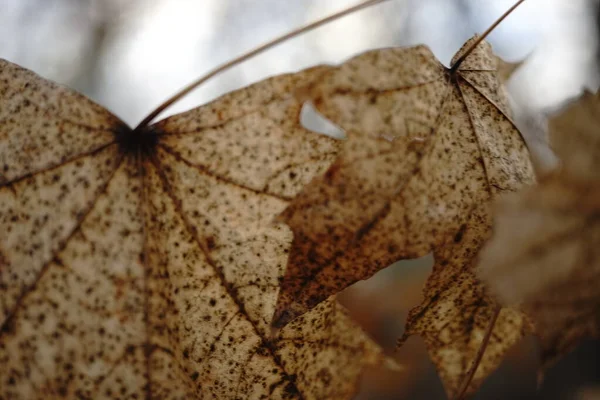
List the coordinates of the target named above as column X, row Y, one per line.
column 145, row 264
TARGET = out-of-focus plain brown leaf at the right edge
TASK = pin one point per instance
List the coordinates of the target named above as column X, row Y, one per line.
column 553, row 233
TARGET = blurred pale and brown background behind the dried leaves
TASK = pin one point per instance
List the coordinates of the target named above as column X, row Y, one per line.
column 130, row 55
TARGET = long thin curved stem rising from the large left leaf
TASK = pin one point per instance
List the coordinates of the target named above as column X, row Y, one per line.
column 252, row 53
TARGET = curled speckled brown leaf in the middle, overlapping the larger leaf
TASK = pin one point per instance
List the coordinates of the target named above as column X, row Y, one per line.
column 426, row 150
